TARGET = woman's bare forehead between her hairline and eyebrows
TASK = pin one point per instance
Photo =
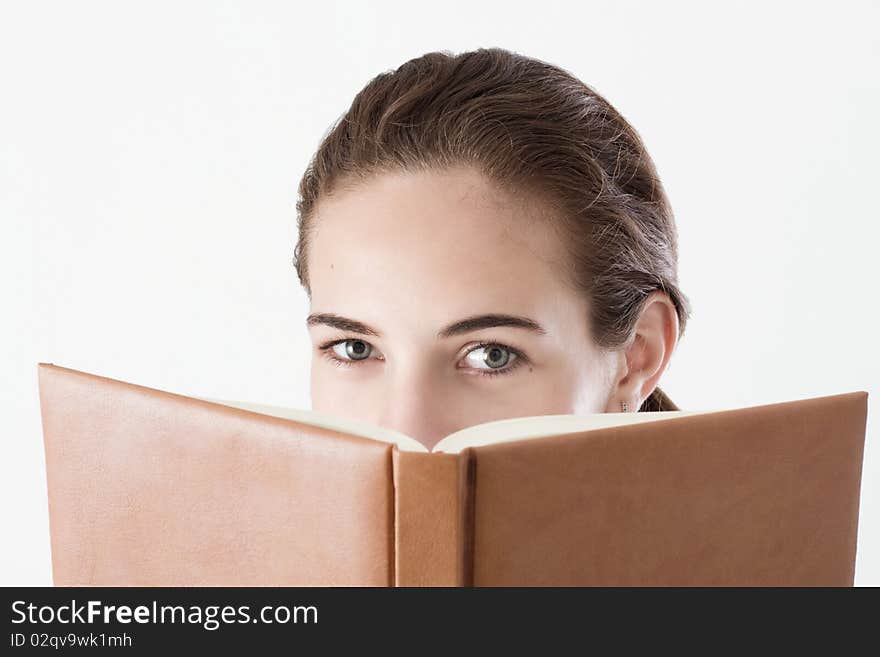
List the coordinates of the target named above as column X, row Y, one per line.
column 440, row 242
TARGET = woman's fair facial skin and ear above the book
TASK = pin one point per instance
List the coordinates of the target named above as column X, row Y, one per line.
column 406, row 255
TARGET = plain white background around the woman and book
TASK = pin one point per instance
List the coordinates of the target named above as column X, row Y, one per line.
column 150, row 153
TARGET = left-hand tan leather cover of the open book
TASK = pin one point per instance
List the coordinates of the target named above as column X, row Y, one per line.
column 152, row 488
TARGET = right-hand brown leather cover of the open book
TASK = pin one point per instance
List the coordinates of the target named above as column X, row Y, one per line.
column 762, row 496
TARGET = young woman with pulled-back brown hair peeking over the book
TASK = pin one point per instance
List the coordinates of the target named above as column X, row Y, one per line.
column 483, row 236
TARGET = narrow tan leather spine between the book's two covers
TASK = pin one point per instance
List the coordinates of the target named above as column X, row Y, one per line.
column 432, row 527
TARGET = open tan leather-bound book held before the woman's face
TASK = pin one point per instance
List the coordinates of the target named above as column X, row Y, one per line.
column 149, row 487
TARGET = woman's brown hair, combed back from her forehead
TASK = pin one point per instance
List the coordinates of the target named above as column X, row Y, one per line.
column 536, row 131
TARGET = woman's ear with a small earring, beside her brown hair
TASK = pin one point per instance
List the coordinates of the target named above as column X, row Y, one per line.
column 646, row 355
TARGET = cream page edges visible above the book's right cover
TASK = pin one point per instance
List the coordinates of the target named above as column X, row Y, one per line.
column 537, row 426
